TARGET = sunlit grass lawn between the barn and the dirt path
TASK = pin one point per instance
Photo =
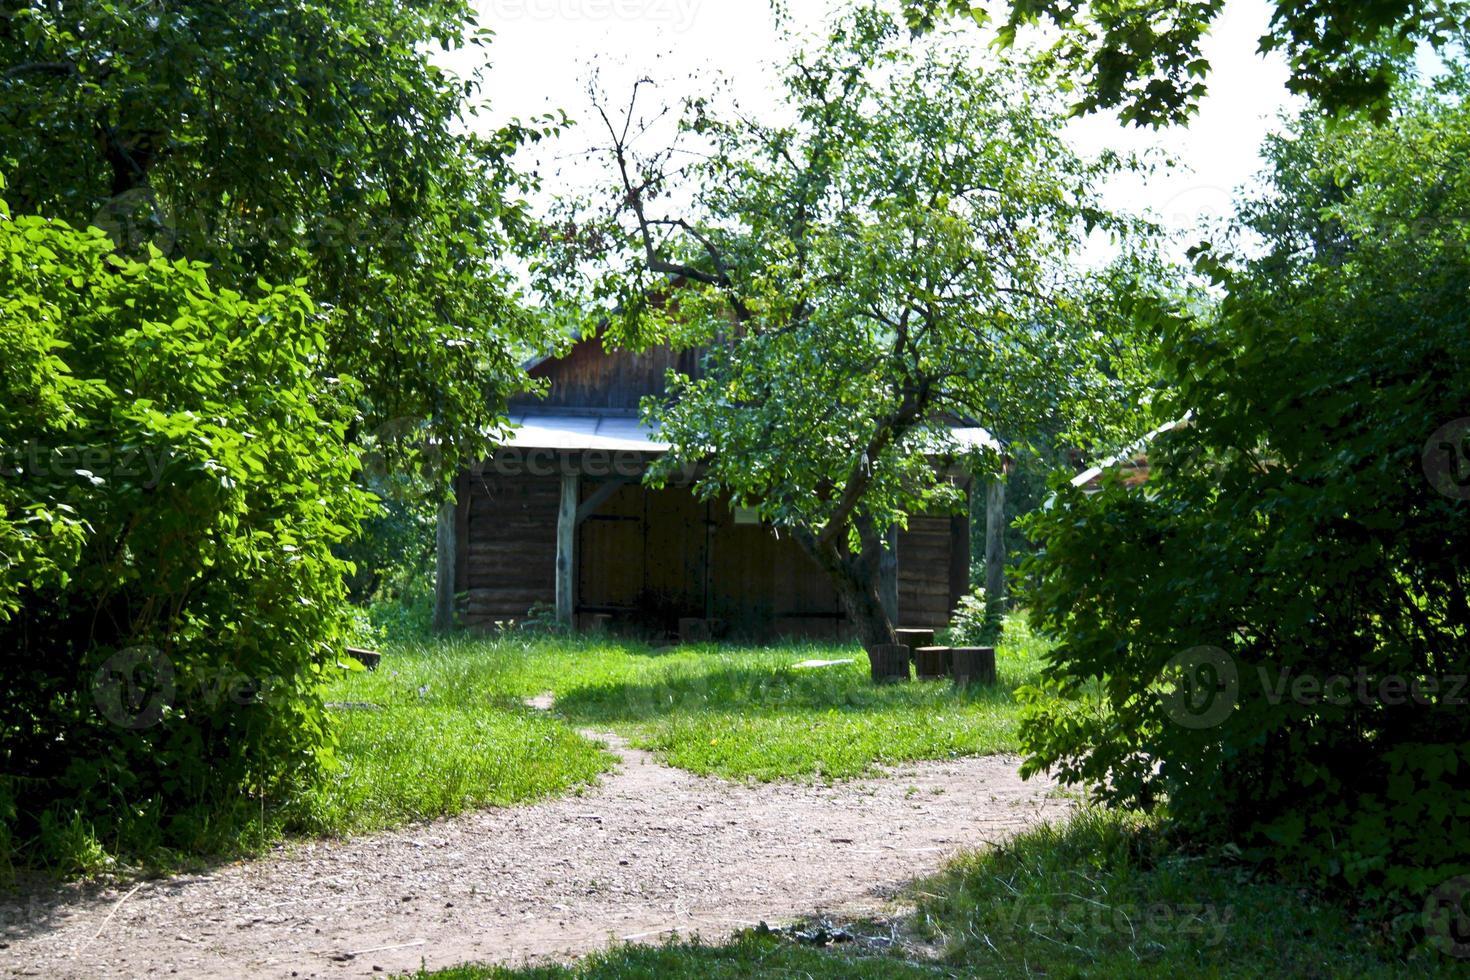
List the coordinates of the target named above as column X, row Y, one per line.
column 442, row 725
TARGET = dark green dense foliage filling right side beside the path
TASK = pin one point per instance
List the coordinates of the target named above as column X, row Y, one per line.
column 1280, row 627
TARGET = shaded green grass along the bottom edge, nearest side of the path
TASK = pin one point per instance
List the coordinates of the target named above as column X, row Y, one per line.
column 1100, row 896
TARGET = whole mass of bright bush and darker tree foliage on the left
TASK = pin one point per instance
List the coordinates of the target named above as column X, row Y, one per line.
column 182, row 442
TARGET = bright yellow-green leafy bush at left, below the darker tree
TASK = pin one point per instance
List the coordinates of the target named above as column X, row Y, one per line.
column 174, row 480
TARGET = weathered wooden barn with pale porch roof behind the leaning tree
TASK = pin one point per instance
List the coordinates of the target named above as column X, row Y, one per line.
column 561, row 518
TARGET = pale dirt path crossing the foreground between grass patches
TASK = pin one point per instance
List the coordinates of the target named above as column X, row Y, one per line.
column 649, row 851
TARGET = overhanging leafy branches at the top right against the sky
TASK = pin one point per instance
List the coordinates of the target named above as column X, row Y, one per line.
column 1144, row 57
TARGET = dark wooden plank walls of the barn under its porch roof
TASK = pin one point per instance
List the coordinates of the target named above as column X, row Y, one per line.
column 652, row 558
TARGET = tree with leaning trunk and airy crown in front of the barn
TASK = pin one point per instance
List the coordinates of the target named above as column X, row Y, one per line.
column 894, row 261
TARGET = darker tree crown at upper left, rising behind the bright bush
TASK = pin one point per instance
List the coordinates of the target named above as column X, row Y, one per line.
column 293, row 142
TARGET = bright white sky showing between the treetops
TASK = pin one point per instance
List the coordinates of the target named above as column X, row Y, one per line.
column 546, row 51
